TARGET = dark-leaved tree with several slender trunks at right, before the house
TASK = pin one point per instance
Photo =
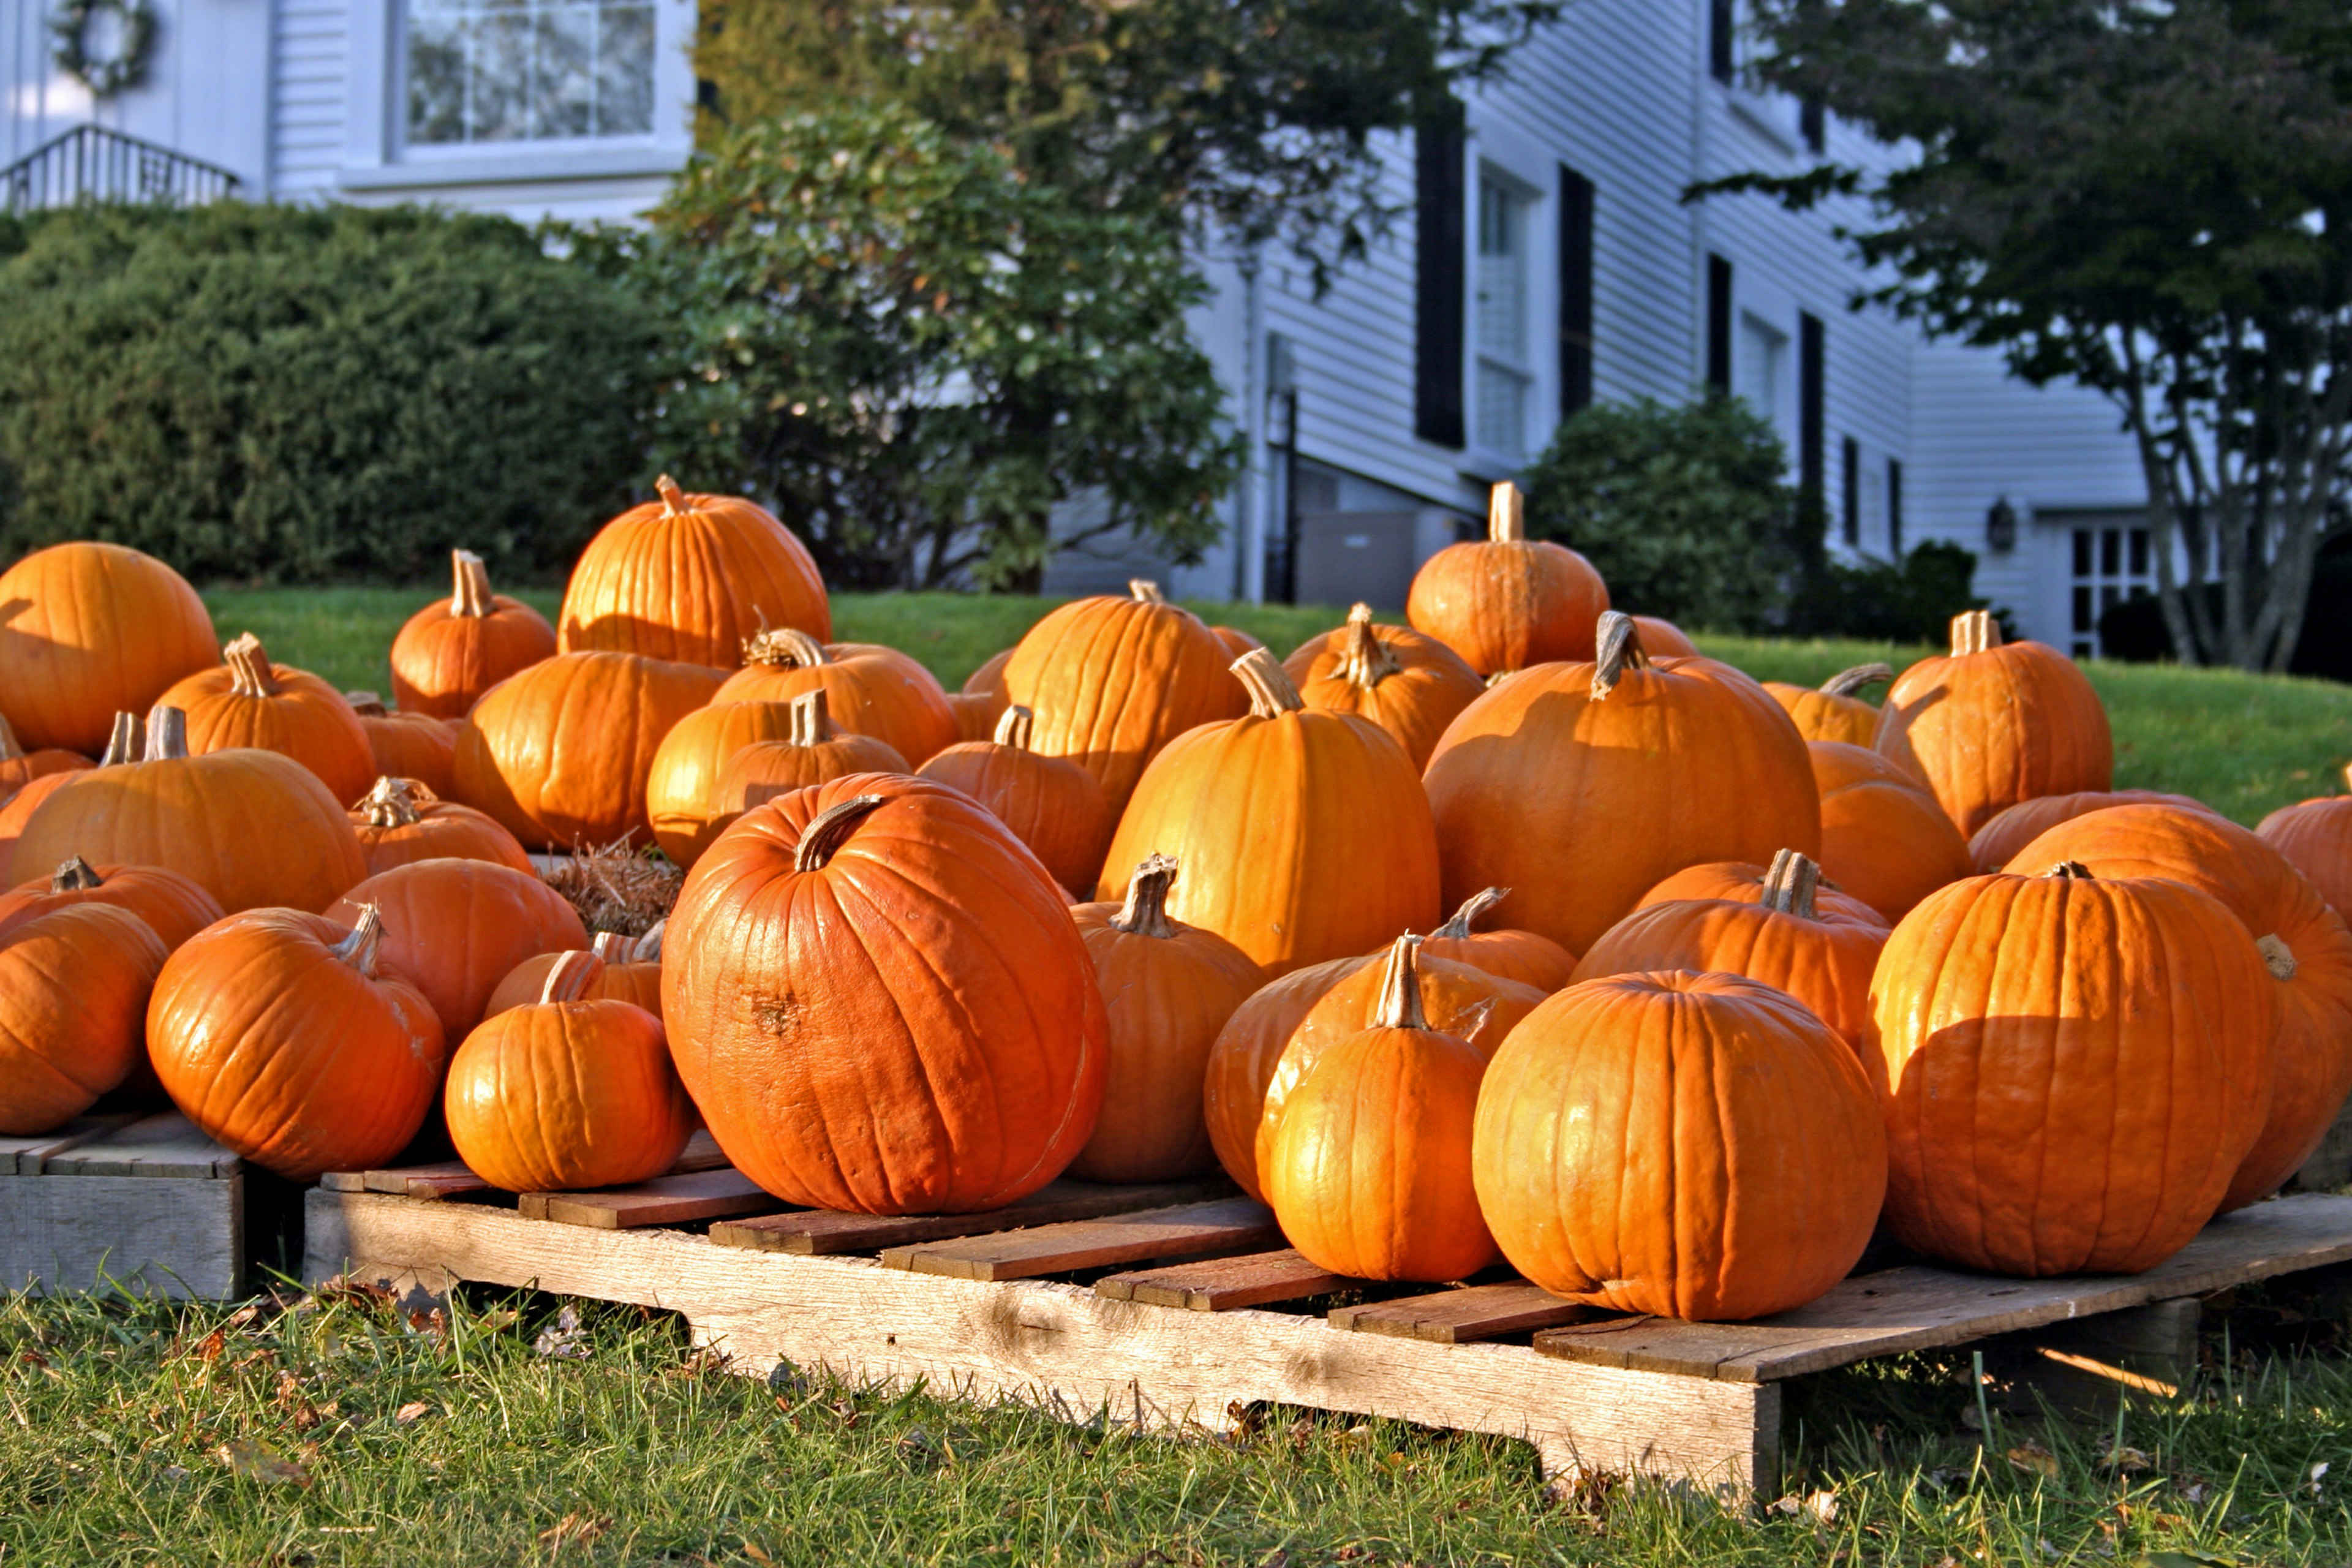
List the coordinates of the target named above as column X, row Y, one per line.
column 2149, row 199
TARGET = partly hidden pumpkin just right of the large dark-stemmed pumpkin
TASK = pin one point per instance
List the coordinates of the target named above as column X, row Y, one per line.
column 1883, row 836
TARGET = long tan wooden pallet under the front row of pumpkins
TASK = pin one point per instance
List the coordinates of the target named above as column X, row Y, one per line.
column 1180, row 1306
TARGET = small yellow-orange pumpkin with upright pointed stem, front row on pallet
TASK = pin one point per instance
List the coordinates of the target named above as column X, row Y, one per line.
column 1370, row 1165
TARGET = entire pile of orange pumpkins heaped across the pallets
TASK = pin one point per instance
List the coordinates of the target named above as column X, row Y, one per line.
column 1518, row 934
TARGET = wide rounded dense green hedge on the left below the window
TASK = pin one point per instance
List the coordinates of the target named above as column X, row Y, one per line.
column 298, row 394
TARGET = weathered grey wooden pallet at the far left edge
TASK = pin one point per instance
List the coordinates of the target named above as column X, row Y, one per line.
column 145, row 1202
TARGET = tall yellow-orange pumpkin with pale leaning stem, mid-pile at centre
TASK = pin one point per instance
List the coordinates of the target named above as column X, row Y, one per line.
column 1304, row 836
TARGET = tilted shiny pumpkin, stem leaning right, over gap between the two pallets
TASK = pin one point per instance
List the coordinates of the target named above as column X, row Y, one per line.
column 286, row 1040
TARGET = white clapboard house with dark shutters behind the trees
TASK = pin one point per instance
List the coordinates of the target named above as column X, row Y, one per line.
column 1544, row 260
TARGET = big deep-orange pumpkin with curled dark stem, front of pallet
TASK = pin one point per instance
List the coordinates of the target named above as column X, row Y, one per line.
column 881, row 1005
